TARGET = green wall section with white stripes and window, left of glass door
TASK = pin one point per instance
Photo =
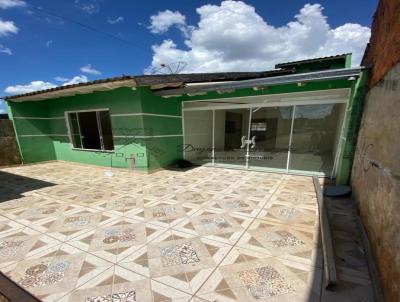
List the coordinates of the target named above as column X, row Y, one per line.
column 47, row 139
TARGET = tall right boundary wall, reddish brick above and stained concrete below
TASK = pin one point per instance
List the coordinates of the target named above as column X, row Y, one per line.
column 376, row 170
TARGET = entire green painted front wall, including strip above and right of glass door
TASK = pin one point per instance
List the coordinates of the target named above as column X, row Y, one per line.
column 152, row 134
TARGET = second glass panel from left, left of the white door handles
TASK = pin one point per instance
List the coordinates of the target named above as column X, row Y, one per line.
column 230, row 136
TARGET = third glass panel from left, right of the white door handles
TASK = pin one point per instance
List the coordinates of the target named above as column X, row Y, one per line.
column 270, row 132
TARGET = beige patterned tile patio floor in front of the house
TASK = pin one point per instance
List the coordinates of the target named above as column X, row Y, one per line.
column 68, row 232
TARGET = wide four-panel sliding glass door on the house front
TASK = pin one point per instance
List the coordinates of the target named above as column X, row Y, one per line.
column 296, row 138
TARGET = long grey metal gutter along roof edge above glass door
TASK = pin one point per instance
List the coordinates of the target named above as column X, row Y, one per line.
column 262, row 82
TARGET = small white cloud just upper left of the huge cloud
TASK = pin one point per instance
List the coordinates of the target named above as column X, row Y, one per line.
column 163, row 21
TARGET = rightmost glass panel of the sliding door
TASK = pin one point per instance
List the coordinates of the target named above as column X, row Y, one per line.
column 316, row 136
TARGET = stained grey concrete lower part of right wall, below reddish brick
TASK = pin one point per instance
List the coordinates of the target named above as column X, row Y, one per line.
column 376, row 177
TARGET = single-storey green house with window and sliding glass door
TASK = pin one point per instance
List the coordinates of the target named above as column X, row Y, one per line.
column 301, row 117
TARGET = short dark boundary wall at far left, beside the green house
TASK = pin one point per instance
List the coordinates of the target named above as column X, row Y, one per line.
column 9, row 152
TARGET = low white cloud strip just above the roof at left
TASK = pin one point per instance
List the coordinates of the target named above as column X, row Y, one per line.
column 42, row 85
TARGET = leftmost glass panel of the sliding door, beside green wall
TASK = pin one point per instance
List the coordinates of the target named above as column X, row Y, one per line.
column 198, row 136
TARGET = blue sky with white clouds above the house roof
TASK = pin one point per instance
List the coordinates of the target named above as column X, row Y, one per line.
column 48, row 43
